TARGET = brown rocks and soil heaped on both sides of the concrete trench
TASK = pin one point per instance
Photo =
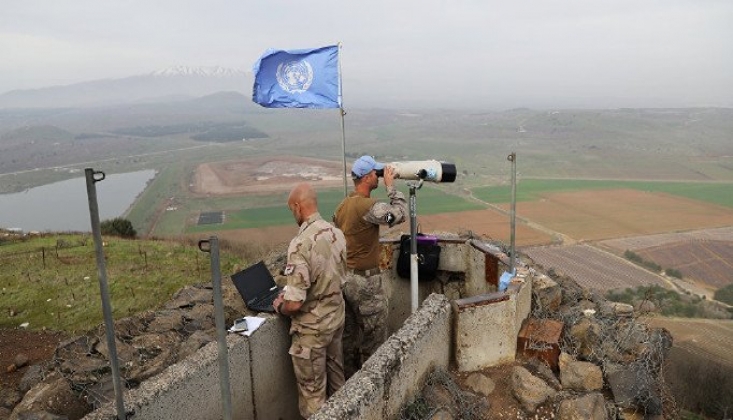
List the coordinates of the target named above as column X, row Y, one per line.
column 605, row 354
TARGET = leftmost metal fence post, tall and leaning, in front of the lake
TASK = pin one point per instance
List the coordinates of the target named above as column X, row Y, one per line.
column 92, row 178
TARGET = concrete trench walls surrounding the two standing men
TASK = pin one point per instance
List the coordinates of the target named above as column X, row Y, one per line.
column 260, row 370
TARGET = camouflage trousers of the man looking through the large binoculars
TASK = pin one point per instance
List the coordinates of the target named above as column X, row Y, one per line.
column 365, row 328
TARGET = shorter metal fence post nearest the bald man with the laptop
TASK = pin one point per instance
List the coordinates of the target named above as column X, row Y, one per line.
column 212, row 247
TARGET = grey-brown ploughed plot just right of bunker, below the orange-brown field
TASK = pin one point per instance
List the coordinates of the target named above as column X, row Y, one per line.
column 593, row 268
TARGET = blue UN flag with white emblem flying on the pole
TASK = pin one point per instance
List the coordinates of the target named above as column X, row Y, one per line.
column 298, row 78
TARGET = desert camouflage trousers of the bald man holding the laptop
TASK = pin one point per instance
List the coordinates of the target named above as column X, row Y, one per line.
column 319, row 371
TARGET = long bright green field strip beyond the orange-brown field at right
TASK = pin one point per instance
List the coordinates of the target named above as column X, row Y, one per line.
column 532, row 189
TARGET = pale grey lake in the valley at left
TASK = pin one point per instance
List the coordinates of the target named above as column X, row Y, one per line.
column 64, row 205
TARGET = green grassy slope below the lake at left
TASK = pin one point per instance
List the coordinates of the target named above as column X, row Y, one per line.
column 51, row 281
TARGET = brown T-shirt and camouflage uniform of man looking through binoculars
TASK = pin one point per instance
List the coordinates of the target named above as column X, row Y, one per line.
column 366, row 303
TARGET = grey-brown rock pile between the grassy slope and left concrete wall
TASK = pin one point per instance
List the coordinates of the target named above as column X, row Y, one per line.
column 146, row 344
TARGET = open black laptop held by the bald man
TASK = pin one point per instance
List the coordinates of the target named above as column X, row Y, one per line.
column 257, row 287
